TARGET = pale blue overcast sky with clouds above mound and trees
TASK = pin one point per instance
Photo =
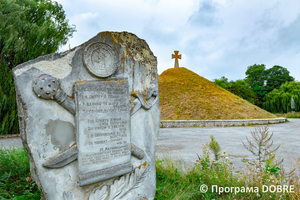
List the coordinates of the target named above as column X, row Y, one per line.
column 216, row 38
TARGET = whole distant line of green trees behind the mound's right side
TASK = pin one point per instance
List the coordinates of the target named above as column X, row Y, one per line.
column 270, row 89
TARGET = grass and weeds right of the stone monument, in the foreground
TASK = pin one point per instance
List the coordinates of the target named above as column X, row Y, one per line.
column 173, row 183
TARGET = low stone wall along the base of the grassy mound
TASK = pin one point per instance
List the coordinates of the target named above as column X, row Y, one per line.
column 217, row 123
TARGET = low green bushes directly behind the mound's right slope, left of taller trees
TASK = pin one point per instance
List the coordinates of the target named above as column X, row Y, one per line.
column 240, row 88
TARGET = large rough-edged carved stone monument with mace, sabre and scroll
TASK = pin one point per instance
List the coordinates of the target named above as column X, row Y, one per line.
column 89, row 119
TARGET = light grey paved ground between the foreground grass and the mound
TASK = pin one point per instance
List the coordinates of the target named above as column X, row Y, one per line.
column 183, row 144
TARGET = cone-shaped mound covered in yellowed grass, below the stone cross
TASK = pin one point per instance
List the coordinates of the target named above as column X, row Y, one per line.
column 184, row 95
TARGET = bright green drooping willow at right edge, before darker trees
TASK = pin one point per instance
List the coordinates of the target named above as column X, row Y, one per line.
column 279, row 100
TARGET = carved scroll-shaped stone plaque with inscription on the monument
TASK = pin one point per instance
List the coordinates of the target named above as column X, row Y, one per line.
column 103, row 129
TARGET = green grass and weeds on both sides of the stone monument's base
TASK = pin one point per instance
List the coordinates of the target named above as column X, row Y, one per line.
column 173, row 180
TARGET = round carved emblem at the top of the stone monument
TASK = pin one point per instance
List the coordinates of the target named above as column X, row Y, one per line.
column 100, row 59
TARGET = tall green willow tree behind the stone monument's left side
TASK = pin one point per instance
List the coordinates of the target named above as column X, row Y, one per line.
column 28, row 29
